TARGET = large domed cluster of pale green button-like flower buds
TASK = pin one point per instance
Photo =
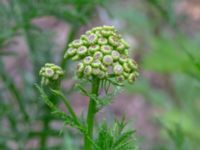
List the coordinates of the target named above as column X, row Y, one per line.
column 102, row 52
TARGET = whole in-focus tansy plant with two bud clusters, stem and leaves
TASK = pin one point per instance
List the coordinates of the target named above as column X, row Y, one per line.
column 103, row 61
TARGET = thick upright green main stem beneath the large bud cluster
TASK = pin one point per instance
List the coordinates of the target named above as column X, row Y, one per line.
column 91, row 115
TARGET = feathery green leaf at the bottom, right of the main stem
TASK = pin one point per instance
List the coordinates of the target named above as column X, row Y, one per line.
column 116, row 137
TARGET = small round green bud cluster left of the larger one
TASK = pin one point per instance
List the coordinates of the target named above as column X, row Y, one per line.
column 50, row 73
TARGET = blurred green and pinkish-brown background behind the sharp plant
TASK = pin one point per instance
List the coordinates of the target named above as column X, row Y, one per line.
column 164, row 103
